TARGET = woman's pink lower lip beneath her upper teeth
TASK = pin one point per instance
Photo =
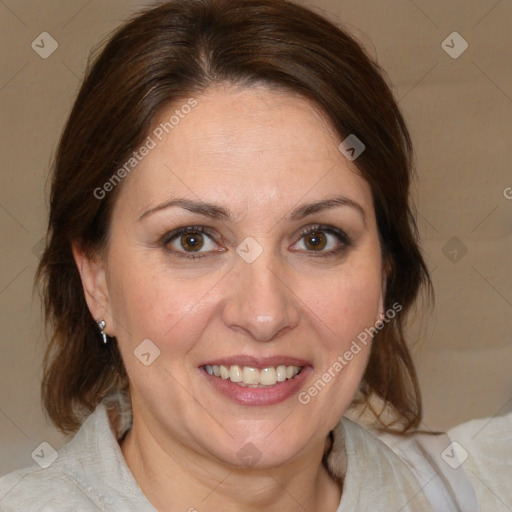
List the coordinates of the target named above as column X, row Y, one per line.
column 272, row 395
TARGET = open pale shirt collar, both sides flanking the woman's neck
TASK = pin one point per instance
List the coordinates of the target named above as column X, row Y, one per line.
column 367, row 467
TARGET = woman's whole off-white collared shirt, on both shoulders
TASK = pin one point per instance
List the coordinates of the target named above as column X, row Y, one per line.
column 388, row 474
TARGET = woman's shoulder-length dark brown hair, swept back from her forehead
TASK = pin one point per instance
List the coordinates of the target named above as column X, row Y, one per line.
column 170, row 52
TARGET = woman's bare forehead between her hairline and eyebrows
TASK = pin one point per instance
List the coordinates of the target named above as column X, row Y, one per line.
column 251, row 146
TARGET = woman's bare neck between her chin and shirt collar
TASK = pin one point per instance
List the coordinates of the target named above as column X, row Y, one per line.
column 176, row 478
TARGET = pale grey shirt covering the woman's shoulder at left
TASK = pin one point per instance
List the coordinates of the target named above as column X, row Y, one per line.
column 81, row 477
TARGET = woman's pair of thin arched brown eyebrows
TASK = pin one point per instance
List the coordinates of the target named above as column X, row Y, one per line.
column 218, row 212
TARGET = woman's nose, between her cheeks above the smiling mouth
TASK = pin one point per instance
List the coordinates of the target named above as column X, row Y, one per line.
column 261, row 302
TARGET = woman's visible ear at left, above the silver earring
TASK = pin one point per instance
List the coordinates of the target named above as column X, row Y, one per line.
column 92, row 272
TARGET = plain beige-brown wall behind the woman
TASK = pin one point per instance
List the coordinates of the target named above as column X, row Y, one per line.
column 459, row 111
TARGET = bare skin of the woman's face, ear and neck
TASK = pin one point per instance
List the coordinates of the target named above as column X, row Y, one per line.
column 259, row 154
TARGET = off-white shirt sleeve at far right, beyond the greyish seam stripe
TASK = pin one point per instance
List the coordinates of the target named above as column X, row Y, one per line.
column 484, row 448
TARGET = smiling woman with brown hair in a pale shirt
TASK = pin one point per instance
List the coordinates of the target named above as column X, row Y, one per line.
column 231, row 257
